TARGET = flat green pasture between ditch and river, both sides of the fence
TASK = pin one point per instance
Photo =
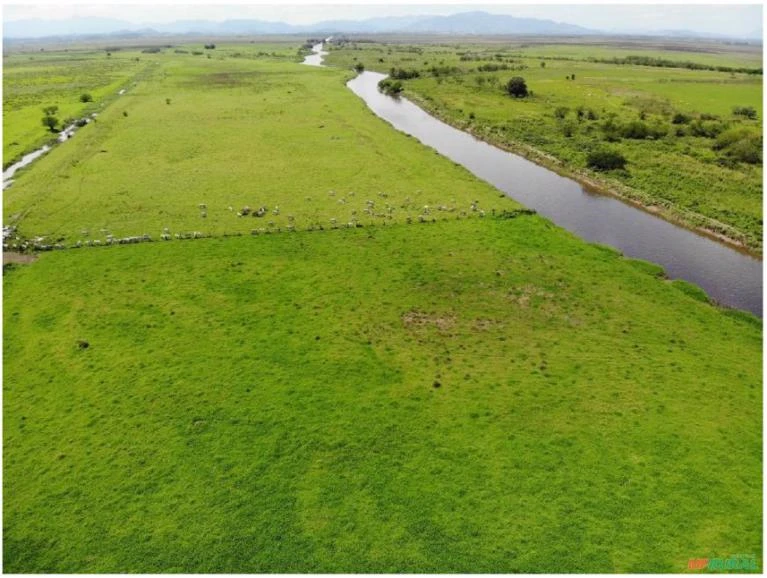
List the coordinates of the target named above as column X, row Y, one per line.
column 470, row 395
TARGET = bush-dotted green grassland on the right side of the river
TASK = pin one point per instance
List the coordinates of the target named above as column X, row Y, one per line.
column 688, row 170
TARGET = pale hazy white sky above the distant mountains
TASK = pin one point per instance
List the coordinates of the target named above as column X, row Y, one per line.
column 722, row 18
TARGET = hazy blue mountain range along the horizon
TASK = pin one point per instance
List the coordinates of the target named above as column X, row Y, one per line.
column 462, row 23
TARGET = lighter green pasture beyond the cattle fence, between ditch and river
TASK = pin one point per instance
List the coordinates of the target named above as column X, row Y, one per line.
column 237, row 133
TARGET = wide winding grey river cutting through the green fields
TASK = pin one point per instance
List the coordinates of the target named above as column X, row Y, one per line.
column 730, row 277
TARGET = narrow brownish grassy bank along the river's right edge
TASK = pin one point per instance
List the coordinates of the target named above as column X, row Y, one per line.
column 594, row 183
